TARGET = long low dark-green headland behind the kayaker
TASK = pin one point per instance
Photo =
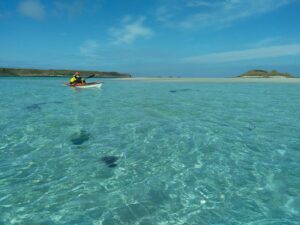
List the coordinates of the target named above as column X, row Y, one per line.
column 58, row 73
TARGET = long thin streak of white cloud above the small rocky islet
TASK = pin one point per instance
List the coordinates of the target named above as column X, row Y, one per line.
column 248, row 54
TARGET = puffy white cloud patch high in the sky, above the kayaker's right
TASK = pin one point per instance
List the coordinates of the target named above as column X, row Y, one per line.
column 130, row 30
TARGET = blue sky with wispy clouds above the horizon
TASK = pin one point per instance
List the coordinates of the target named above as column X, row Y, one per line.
column 152, row 38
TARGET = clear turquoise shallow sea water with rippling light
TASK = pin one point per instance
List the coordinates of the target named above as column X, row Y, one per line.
column 189, row 153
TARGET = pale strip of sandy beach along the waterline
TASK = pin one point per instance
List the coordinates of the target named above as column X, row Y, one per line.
column 213, row 80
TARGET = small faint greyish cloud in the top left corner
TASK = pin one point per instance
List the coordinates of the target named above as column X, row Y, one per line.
column 32, row 8
